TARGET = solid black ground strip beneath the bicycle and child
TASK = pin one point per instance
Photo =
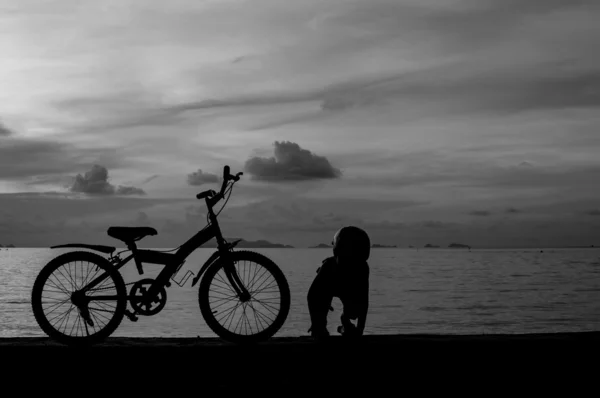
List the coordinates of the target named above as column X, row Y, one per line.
column 302, row 364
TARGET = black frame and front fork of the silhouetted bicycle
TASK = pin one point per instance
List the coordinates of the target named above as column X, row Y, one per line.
column 173, row 261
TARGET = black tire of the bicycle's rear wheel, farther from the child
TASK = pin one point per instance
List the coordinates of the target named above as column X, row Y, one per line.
column 45, row 323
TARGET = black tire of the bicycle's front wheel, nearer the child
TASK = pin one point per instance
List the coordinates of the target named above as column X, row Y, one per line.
column 284, row 297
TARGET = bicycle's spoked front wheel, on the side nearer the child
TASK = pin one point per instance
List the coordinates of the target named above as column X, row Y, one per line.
column 256, row 319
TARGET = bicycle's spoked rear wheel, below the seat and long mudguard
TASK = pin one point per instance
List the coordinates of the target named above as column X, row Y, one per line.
column 57, row 313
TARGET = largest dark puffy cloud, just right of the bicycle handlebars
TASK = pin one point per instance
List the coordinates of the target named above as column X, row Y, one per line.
column 289, row 163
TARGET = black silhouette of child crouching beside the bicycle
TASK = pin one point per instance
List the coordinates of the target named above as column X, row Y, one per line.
column 344, row 275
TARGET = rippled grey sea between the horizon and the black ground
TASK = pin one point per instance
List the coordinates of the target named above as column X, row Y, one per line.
column 412, row 291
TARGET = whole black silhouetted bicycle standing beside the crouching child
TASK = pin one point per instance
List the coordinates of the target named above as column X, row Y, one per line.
column 93, row 297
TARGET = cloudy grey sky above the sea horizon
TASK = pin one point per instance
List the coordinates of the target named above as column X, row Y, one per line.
column 421, row 121
